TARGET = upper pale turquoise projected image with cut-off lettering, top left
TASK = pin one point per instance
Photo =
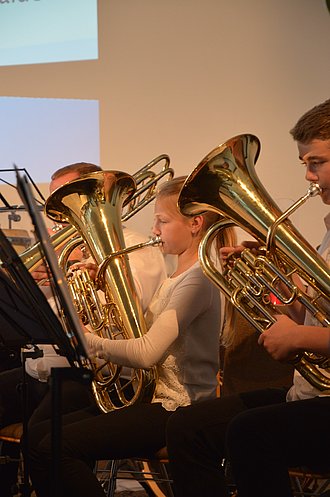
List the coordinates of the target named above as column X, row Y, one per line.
column 41, row 31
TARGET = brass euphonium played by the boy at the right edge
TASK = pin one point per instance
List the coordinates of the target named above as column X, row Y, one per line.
column 225, row 182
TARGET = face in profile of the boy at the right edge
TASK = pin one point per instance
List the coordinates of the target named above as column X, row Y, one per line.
column 315, row 155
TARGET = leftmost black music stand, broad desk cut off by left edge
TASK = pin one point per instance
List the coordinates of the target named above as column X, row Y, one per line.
column 26, row 320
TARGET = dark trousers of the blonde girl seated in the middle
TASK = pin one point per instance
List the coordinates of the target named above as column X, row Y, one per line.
column 87, row 436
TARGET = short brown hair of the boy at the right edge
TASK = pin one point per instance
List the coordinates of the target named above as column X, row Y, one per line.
column 313, row 125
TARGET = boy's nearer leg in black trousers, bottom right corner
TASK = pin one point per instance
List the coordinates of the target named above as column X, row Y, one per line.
column 264, row 442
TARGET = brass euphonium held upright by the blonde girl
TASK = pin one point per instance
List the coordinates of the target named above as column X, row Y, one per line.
column 93, row 205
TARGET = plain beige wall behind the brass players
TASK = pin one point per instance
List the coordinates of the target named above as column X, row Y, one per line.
column 181, row 76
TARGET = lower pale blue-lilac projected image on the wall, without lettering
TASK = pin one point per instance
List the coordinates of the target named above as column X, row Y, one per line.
column 41, row 135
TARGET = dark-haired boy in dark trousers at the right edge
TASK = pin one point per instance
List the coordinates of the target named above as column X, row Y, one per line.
column 265, row 432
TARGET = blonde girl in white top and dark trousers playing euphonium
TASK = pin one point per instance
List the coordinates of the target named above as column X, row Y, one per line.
column 182, row 342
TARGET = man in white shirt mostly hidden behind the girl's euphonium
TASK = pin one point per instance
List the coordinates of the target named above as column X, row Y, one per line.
column 148, row 270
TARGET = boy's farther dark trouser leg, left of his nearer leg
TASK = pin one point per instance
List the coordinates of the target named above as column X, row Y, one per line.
column 196, row 441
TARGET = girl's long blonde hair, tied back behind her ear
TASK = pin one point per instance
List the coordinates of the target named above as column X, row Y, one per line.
column 225, row 238
